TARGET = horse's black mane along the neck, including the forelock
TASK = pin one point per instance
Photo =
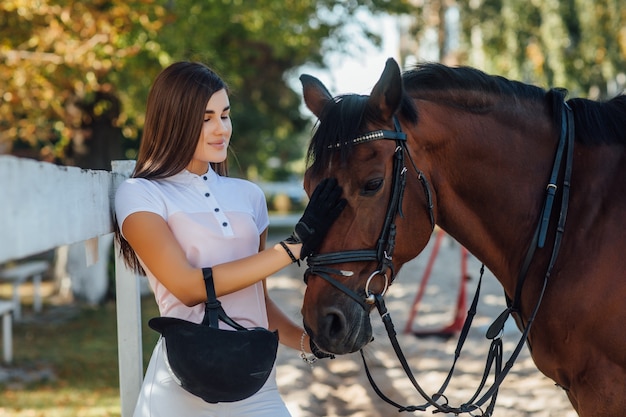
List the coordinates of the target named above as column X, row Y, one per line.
column 467, row 89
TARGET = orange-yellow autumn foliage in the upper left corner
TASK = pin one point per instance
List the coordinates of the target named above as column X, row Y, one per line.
column 57, row 58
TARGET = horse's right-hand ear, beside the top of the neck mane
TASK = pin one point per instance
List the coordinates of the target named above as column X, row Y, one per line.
column 387, row 93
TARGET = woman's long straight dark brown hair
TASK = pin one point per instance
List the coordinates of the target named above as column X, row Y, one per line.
column 174, row 115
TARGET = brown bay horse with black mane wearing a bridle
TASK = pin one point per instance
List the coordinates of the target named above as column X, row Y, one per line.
column 533, row 186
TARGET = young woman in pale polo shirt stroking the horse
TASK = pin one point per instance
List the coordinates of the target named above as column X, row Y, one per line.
column 180, row 213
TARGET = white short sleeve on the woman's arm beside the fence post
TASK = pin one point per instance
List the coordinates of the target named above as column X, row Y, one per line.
column 137, row 194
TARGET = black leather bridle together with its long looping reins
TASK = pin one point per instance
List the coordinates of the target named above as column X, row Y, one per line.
column 384, row 251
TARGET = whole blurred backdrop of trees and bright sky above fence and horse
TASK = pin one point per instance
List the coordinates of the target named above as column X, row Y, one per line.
column 74, row 75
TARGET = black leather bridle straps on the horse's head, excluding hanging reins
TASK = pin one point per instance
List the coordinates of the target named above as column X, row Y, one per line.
column 383, row 253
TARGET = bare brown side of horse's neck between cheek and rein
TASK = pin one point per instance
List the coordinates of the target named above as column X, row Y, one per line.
column 489, row 190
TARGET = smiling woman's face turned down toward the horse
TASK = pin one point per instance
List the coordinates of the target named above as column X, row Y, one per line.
column 215, row 135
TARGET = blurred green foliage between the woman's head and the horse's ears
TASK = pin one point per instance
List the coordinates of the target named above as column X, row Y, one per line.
column 254, row 46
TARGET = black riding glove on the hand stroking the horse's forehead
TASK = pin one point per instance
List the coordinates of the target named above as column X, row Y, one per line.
column 323, row 209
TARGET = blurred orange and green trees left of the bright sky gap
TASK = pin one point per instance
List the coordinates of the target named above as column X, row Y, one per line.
column 68, row 64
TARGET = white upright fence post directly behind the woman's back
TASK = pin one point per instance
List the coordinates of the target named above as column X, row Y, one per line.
column 128, row 306
